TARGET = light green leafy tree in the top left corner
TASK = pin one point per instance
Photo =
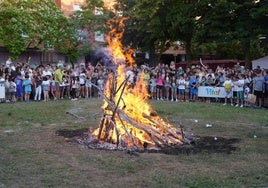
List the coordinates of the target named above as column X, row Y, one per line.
column 31, row 23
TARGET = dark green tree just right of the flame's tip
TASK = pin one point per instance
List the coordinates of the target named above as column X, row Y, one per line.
column 155, row 25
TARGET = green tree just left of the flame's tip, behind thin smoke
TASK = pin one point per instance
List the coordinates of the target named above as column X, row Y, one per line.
column 82, row 26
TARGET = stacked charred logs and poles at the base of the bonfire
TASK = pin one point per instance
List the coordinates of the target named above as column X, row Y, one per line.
column 117, row 130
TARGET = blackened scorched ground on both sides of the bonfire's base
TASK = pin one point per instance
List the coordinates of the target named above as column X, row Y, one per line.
column 206, row 144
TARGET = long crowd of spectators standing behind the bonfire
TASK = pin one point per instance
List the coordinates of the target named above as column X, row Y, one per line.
column 165, row 82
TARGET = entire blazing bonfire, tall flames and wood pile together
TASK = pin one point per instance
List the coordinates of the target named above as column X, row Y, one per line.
column 128, row 121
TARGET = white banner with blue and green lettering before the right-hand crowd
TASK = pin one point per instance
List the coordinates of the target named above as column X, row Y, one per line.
column 213, row 92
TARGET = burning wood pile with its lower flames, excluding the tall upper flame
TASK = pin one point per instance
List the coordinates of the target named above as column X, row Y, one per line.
column 129, row 123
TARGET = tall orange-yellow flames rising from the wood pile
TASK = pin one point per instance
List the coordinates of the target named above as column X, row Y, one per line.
column 131, row 100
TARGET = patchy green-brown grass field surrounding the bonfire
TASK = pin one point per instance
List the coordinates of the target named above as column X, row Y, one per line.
column 32, row 155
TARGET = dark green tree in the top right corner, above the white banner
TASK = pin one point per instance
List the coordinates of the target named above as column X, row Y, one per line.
column 234, row 21
